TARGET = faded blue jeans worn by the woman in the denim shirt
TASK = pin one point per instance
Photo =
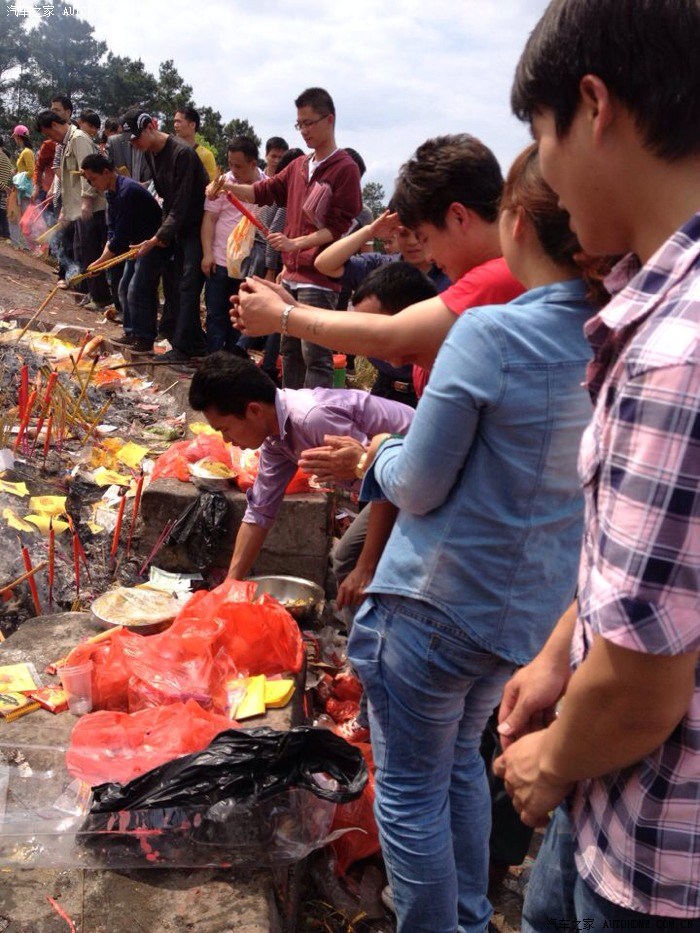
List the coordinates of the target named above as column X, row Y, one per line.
column 430, row 691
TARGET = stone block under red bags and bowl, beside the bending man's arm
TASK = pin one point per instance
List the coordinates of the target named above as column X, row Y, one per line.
column 298, row 544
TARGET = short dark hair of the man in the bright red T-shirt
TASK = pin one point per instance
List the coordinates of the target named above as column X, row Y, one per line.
column 445, row 170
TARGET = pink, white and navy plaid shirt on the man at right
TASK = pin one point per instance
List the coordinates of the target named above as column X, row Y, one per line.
column 638, row 830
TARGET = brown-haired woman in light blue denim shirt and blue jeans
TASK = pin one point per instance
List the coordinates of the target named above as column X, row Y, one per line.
column 481, row 562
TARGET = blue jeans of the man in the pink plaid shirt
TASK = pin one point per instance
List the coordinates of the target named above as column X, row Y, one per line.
column 556, row 892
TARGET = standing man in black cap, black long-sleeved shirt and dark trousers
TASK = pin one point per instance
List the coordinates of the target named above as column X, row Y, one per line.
column 180, row 179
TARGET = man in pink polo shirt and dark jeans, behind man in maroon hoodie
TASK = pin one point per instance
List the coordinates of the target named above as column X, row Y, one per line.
column 220, row 218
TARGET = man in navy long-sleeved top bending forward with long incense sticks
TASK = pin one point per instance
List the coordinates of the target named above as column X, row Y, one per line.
column 134, row 216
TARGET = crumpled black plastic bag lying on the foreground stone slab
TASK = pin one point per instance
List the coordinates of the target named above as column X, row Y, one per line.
column 251, row 764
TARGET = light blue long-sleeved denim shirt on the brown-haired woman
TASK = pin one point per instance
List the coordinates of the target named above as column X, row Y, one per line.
column 490, row 521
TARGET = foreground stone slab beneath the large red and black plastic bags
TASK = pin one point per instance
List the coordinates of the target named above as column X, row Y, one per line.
column 166, row 900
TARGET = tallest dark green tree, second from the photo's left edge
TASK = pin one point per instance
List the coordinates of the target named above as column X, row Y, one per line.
column 65, row 57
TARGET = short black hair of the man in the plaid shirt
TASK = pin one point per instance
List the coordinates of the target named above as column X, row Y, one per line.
column 647, row 52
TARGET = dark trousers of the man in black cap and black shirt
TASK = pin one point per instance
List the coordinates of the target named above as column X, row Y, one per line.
column 188, row 336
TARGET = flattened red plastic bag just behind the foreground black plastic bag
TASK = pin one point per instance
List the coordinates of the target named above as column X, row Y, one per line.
column 112, row 746
